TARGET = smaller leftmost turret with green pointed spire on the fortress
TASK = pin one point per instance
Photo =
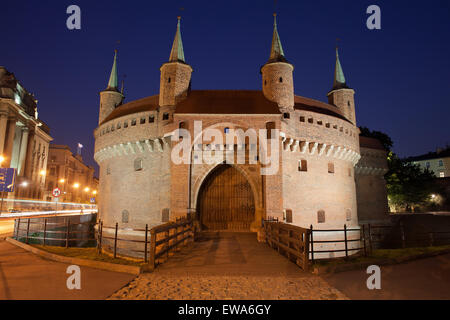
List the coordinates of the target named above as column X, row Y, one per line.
column 110, row 98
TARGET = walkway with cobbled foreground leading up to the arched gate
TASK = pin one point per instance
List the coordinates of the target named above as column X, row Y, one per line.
column 229, row 266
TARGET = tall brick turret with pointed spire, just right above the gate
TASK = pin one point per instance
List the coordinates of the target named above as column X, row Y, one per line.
column 277, row 81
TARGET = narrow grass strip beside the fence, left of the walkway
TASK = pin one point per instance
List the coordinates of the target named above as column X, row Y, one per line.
column 87, row 253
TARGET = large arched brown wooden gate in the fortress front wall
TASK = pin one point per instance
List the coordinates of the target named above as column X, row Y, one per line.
column 225, row 200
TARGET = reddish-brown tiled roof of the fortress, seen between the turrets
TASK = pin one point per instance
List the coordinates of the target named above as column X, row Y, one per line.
column 224, row 102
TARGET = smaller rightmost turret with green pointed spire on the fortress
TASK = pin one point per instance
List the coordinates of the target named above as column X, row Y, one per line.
column 341, row 95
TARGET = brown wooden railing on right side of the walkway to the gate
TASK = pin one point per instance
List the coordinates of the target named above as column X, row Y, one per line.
column 289, row 240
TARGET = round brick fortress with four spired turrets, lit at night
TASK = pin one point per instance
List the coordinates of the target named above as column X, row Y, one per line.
column 327, row 174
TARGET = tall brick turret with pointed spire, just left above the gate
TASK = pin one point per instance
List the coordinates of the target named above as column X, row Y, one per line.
column 175, row 74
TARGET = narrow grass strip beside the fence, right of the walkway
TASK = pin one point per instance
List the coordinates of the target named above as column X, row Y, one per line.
column 382, row 254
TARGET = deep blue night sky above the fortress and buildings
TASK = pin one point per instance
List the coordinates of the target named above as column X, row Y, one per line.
column 401, row 73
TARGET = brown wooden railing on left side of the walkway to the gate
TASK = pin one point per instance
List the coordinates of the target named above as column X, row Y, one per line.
column 158, row 241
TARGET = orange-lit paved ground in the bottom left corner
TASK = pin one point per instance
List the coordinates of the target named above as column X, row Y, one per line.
column 26, row 276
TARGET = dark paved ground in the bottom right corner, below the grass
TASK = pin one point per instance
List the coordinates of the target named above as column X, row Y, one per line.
column 421, row 279
